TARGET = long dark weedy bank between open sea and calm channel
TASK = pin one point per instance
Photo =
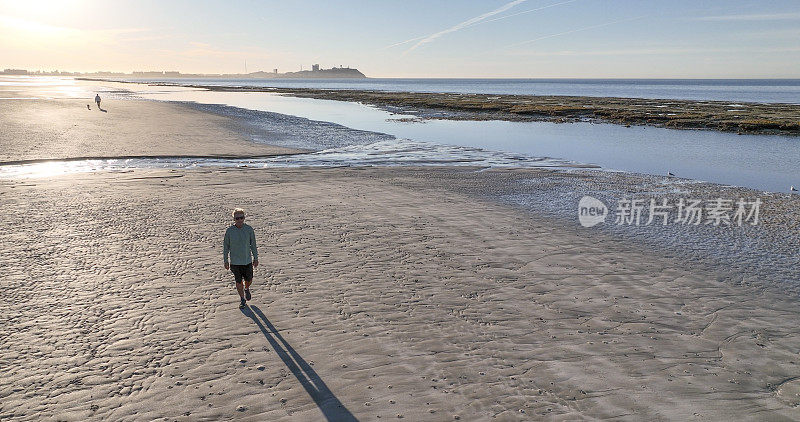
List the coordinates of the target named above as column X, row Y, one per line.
column 743, row 118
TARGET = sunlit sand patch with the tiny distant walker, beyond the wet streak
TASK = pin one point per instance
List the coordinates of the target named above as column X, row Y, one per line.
column 64, row 128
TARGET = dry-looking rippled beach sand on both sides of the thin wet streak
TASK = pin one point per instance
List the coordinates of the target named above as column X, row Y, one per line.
column 383, row 293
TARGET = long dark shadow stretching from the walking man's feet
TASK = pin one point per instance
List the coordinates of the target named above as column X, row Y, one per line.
column 331, row 407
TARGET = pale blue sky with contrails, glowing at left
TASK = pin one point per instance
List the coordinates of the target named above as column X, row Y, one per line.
column 409, row 38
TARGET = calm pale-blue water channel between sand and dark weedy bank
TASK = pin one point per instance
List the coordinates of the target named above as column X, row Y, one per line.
column 766, row 162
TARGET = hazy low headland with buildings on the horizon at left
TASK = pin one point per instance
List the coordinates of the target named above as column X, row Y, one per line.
column 315, row 73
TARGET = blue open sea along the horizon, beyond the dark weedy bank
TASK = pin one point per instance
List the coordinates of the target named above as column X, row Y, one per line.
column 739, row 90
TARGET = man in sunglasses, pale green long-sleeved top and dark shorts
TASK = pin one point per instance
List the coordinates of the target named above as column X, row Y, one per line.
column 239, row 243
